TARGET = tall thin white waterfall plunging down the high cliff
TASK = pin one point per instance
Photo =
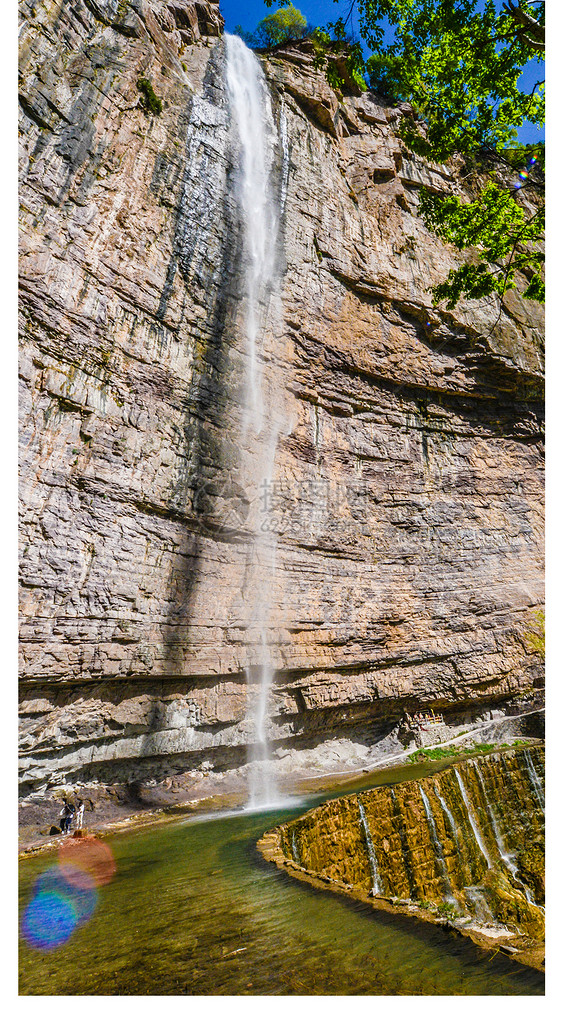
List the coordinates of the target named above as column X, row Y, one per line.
column 254, row 141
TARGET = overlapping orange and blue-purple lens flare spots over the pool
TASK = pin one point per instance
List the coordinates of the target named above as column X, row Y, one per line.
column 65, row 897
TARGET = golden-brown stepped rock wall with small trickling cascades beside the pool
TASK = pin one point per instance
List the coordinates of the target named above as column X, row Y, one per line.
column 466, row 844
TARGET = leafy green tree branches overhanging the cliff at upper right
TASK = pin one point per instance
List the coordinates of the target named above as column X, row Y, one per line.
column 460, row 64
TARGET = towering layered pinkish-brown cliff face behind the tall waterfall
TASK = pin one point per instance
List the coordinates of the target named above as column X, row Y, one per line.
column 406, row 492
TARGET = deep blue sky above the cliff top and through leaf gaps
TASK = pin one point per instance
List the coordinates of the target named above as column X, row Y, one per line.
column 250, row 13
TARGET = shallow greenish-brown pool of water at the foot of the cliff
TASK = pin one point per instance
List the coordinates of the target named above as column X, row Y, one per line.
column 194, row 910
